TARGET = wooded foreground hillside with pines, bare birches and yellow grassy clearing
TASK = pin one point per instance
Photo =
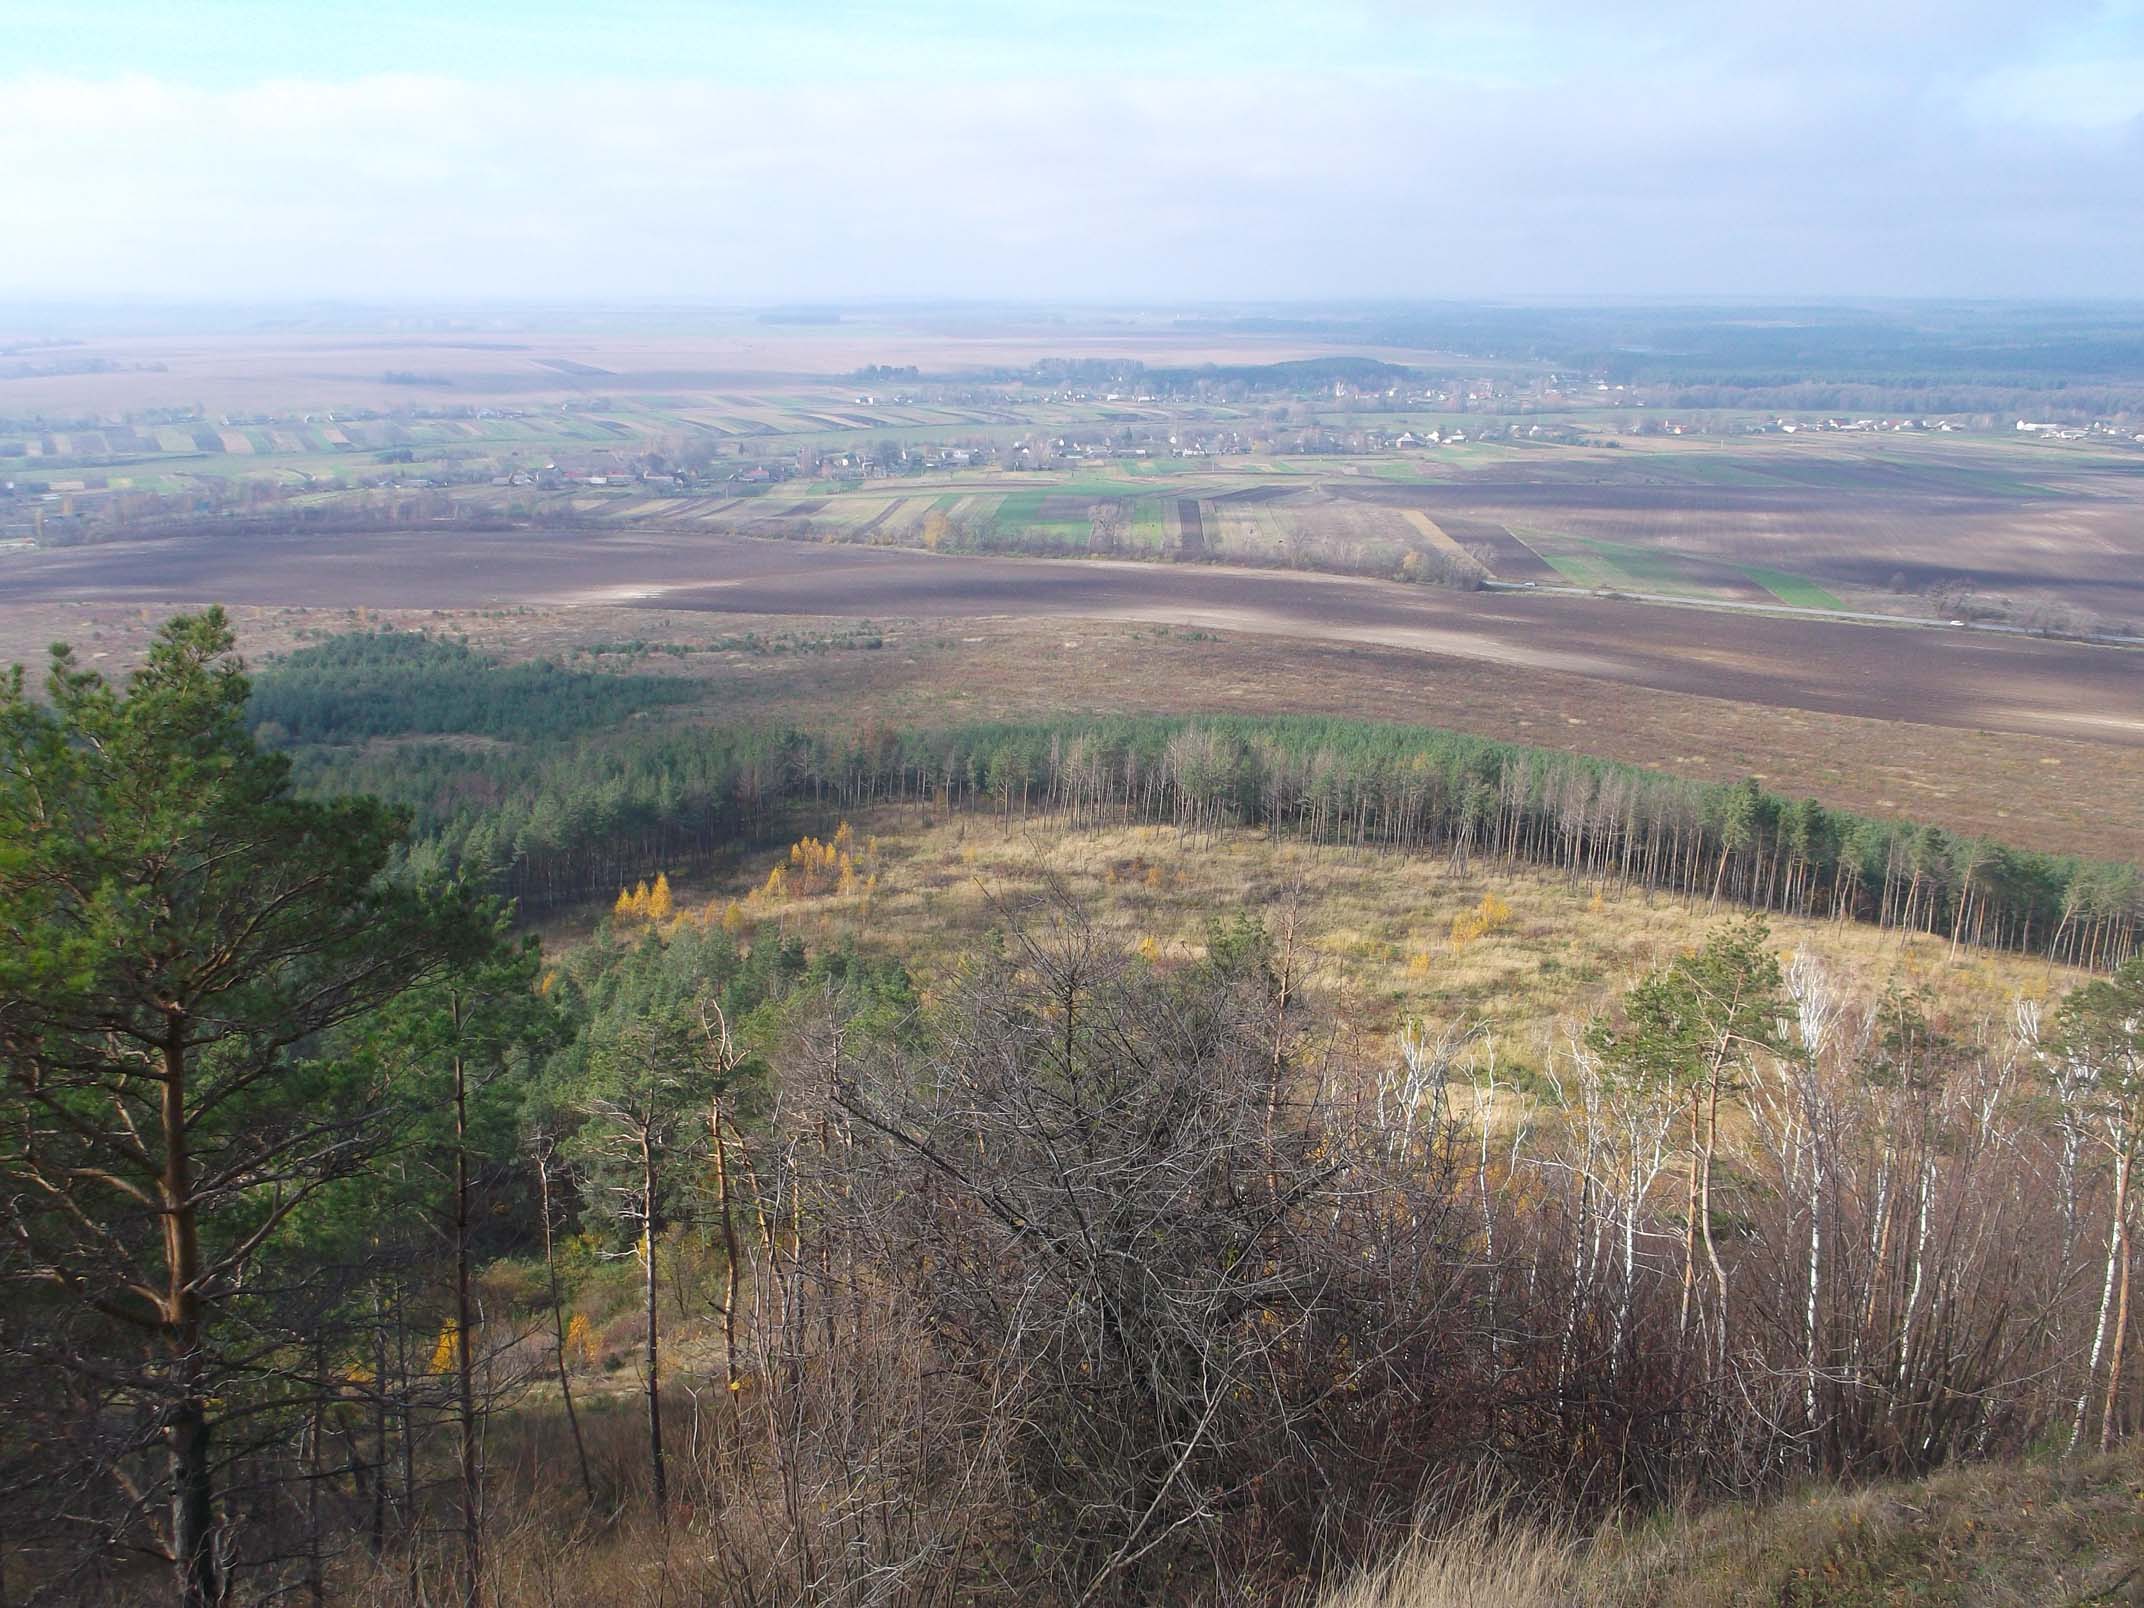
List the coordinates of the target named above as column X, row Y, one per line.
column 1185, row 1187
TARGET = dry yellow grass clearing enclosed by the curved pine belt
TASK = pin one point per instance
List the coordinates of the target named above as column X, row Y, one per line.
column 1513, row 949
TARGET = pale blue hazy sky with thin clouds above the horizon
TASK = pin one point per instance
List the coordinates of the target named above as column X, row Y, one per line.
column 1101, row 151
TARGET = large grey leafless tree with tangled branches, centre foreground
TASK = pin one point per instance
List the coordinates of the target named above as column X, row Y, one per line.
column 1118, row 1227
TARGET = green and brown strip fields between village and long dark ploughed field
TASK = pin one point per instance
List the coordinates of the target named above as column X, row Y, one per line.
column 2074, row 546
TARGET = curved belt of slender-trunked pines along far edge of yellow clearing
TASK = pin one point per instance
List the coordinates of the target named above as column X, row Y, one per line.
column 565, row 827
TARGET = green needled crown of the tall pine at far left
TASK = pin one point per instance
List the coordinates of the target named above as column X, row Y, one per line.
column 170, row 899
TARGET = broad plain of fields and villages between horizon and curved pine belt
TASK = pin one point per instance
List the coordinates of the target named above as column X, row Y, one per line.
column 1030, row 541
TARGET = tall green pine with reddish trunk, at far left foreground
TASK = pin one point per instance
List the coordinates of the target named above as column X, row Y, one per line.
column 177, row 932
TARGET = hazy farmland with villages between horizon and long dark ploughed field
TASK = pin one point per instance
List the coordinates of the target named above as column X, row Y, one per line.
column 766, row 432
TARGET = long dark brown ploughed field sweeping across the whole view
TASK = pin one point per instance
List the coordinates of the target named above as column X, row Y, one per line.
column 1933, row 676
